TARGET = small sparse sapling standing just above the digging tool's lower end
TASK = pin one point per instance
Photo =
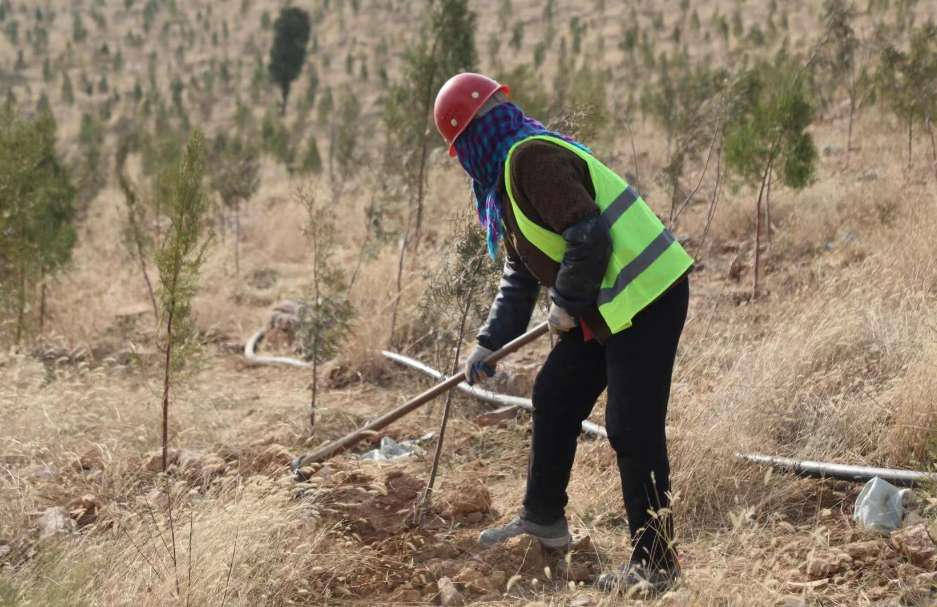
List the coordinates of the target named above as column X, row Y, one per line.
column 327, row 314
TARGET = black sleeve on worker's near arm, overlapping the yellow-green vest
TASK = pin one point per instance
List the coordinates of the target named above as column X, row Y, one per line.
column 588, row 246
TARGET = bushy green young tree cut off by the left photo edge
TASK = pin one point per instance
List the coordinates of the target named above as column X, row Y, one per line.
column 37, row 211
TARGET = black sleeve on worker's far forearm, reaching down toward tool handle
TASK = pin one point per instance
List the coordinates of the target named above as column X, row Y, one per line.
column 511, row 310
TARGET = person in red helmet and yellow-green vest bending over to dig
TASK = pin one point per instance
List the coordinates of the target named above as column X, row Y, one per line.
column 619, row 291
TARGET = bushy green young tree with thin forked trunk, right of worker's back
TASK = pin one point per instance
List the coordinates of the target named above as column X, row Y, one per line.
column 766, row 137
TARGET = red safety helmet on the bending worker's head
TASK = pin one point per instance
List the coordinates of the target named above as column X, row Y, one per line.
column 459, row 100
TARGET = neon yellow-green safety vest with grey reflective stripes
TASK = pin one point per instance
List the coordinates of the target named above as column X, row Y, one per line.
column 645, row 259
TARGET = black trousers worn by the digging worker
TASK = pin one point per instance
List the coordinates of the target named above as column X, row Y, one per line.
column 636, row 366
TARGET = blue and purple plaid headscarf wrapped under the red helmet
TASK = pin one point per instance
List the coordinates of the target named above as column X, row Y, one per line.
column 482, row 148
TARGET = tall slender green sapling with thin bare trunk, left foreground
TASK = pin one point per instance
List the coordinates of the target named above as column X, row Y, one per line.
column 178, row 260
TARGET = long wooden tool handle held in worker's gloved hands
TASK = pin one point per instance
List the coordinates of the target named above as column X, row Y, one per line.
column 390, row 417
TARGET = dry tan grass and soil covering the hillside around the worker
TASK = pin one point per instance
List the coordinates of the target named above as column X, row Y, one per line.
column 836, row 361
